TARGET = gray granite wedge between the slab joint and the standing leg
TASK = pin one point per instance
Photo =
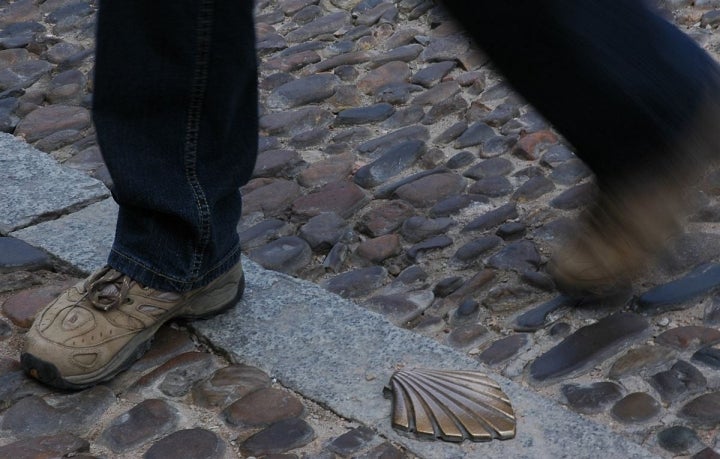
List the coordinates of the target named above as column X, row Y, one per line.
column 82, row 238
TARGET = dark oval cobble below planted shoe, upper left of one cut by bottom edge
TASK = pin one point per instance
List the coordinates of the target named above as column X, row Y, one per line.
column 149, row 419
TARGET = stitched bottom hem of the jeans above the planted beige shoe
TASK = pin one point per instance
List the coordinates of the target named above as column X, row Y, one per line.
column 152, row 277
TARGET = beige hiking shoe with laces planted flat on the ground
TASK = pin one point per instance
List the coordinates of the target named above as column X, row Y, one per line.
column 102, row 325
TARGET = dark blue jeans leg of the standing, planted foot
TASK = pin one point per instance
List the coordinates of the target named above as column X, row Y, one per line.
column 175, row 107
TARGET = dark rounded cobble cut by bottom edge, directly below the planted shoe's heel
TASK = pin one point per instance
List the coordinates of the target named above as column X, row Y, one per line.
column 188, row 443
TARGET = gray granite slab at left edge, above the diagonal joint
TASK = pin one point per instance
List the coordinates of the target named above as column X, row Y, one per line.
column 34, row 187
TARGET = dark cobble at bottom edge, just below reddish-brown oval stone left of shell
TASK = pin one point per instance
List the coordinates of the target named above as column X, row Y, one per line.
column 279, row 438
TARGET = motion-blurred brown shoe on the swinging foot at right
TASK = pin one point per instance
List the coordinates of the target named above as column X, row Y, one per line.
column 616, row 238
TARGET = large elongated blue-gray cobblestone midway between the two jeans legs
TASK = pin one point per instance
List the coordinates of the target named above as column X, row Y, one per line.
column 394, row 161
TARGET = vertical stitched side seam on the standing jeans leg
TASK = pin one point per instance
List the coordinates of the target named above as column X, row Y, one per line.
column 192, row 132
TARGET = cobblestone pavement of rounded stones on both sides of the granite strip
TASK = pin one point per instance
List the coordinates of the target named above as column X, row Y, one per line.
column 396, row 169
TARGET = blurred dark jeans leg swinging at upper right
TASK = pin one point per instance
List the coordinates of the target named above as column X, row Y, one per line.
column 617, row 80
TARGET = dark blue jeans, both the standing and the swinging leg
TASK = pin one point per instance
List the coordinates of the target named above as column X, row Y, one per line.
column 176, row 108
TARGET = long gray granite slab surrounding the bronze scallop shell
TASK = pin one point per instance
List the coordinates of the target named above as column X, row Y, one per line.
column 341, row 355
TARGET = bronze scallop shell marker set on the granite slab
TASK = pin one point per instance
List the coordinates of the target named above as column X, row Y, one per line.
column 451, row 405
